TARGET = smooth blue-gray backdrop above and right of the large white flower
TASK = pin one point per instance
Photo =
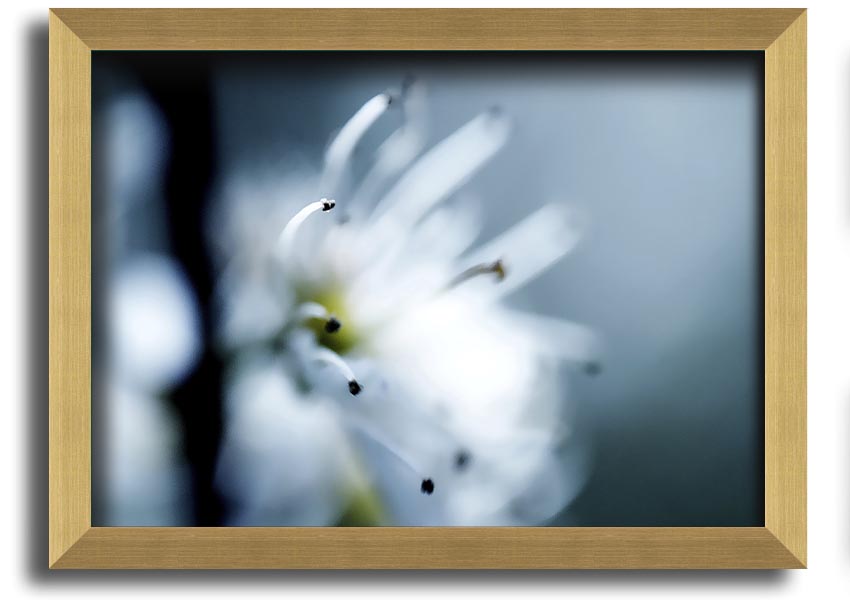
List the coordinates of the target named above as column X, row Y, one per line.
column 662, row 153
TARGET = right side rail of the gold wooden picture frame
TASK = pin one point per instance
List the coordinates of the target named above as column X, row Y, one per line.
column 785, row 288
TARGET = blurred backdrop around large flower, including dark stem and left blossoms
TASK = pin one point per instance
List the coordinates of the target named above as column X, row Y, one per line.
column 660, row 153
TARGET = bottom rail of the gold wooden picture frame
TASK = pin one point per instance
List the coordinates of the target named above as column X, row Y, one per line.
column 428, row 548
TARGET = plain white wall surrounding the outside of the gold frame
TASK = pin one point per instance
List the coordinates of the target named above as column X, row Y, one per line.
column 24, row 386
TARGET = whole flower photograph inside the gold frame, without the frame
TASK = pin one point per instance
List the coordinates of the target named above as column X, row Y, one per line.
column 427, row 289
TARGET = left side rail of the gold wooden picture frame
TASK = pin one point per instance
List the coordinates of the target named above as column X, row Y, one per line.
column 69, row 304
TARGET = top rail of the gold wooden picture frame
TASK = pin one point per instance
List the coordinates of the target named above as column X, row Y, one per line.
column 428, row 29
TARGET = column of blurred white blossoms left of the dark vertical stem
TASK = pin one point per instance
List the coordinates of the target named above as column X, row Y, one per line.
column 152, row 328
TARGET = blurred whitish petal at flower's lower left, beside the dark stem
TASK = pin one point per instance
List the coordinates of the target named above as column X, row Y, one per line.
column 283, row 457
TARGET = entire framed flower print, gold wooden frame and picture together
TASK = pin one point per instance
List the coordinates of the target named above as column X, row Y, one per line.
column 415, row 289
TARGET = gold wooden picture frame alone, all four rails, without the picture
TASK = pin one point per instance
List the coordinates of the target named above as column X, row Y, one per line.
column 780, row 34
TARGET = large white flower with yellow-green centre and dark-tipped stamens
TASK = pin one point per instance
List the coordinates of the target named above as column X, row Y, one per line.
column 376, row 364
